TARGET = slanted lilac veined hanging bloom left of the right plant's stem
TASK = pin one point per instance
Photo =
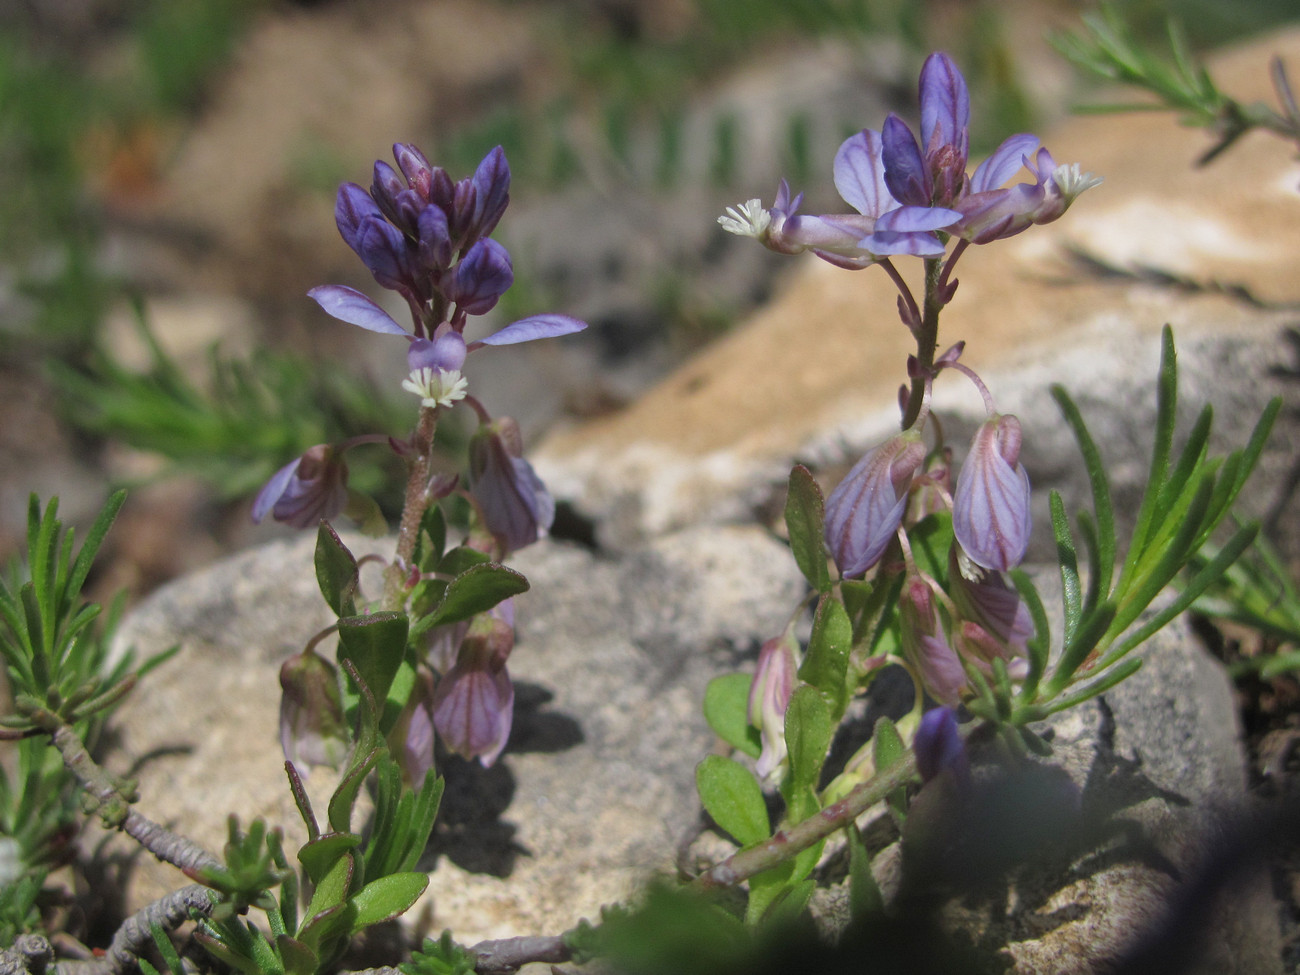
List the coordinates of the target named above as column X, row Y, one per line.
column 865, row 510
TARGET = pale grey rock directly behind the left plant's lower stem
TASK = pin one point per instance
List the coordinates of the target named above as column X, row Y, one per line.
column 597, row 786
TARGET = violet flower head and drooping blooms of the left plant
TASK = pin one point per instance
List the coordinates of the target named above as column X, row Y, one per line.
column 427, row 239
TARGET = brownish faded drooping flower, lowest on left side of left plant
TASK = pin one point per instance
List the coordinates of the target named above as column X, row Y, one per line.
column 311, row 713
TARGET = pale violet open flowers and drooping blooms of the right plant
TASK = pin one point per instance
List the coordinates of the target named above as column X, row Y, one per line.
column 912, row 197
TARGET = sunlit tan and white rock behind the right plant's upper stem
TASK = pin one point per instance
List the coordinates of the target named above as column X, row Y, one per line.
column 813, row 376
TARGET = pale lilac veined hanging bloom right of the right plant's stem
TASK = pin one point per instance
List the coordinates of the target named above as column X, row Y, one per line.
column 991, row 505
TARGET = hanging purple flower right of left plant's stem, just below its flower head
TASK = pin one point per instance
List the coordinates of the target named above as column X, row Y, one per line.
column 515, row 506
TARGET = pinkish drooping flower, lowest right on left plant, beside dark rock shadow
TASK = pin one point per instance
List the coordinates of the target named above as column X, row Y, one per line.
column 474, row 704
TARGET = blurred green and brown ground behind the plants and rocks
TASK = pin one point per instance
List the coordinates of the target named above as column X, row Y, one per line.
column 167, row 181
